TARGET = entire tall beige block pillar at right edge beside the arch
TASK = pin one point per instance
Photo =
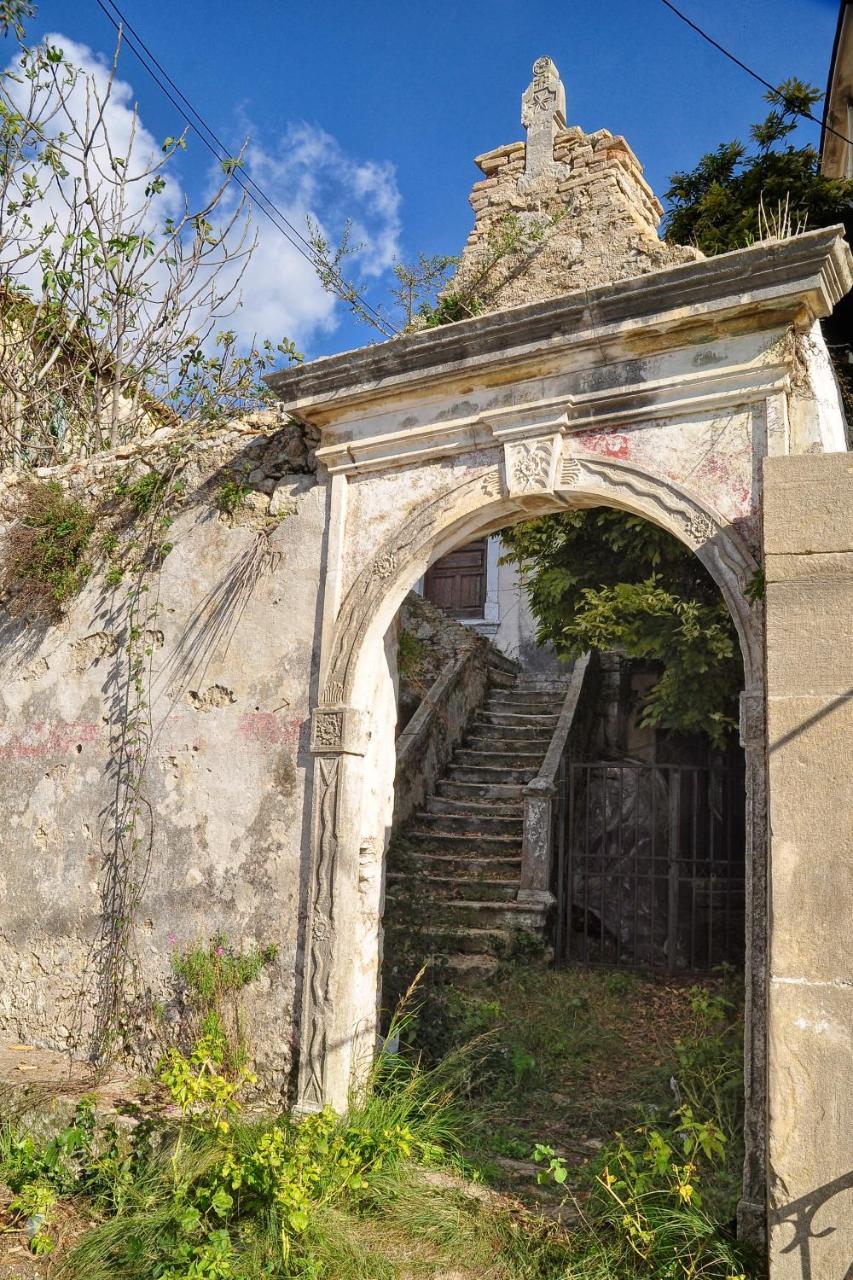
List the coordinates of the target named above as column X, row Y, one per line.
column 809, row 551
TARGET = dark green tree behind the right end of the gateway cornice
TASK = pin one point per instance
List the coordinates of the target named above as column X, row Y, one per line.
column 719, row 204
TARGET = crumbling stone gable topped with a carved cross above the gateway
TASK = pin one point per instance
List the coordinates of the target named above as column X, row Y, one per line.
column 565, row 211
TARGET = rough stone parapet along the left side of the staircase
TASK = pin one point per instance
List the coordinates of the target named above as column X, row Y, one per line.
column 426, row 744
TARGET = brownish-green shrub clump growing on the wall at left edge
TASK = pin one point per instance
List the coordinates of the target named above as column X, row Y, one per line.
column 45, row 556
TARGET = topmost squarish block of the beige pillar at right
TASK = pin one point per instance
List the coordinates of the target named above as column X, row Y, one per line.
column 809, row 499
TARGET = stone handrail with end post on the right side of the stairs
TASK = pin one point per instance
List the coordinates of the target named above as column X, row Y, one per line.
column 540, row 801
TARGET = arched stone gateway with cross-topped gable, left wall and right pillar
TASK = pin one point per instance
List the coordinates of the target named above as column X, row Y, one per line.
column 608, row 369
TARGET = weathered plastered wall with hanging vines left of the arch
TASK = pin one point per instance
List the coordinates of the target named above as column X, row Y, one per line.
column 234, row 665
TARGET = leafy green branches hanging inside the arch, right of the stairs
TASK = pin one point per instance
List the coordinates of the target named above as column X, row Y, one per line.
column 604, row 579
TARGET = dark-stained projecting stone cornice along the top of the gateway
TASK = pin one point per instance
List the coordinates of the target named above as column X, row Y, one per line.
column 795, row 281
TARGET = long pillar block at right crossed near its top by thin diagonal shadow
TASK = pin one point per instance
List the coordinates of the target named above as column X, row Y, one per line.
column 811, row 847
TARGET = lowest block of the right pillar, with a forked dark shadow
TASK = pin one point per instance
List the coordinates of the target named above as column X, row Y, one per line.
column 811, row 1132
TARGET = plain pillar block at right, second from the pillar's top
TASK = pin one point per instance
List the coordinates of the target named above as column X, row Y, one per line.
column 810, row 634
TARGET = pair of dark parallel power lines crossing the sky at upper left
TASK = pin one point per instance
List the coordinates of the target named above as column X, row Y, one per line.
column 244, row 180
